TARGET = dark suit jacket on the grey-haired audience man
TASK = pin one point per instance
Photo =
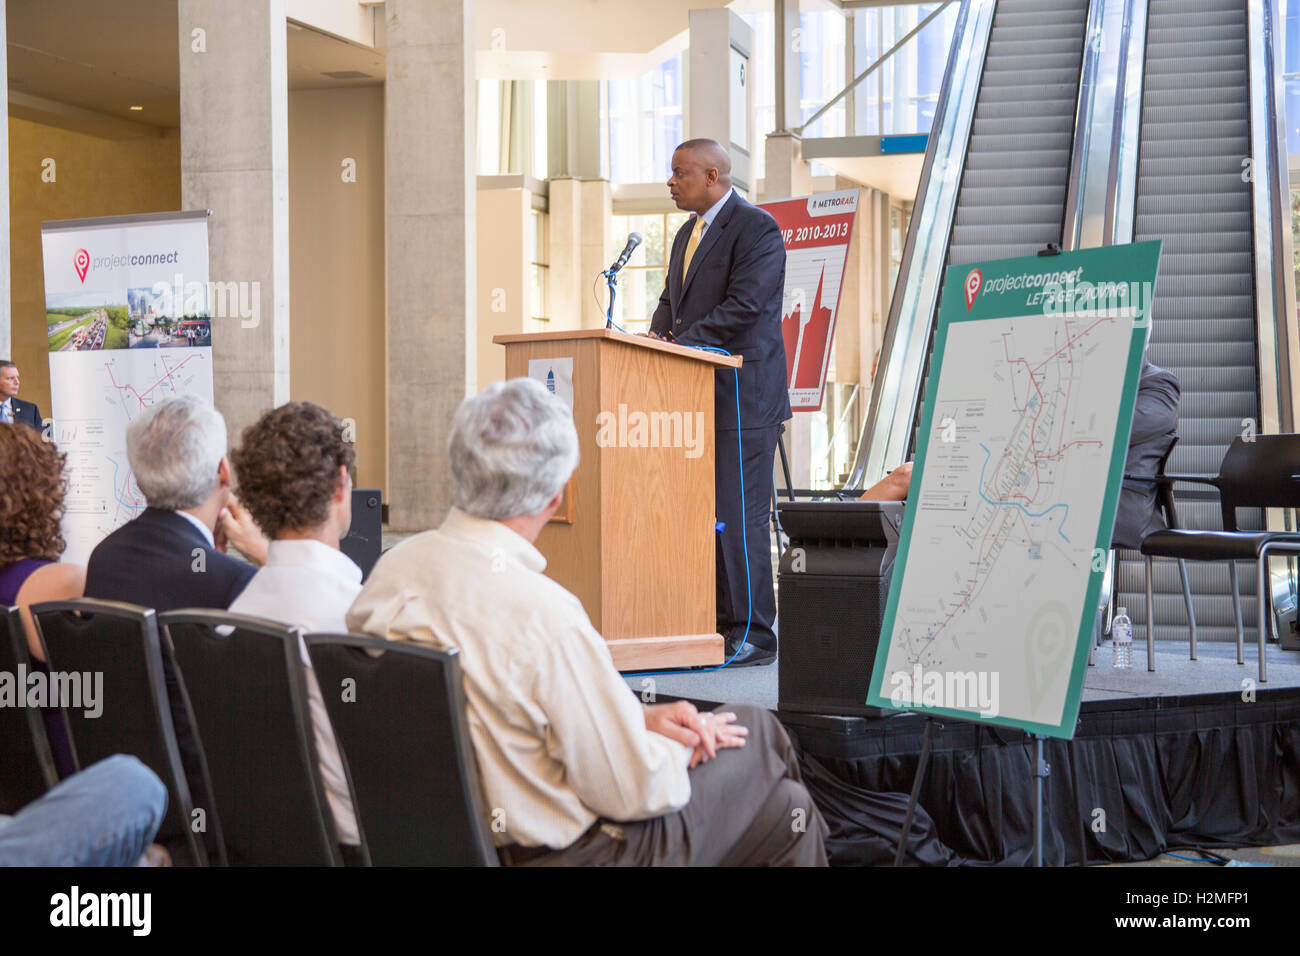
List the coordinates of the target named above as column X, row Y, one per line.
column 153, row 563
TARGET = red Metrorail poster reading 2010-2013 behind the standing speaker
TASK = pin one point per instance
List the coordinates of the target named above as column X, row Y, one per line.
column 817, row 232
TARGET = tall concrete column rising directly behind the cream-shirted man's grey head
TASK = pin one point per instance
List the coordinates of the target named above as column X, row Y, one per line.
column 430, row 159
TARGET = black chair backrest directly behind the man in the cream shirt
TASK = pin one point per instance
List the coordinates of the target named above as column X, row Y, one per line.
column 401, row 717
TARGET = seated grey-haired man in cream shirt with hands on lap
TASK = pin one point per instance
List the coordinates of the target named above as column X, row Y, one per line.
column 575, row 767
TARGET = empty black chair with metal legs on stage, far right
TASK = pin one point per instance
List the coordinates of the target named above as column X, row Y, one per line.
column 1259, row 473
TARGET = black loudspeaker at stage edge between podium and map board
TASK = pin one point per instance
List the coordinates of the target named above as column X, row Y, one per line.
column 834, row 583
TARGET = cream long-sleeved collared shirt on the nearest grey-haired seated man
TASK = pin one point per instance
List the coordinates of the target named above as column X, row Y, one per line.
column 560, row 738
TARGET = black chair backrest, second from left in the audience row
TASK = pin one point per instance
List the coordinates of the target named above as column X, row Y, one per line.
column 122, row 643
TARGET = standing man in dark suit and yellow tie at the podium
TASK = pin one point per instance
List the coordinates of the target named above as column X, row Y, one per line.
column 725, row 288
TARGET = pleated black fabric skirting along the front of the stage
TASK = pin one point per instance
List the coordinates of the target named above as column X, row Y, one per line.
column 1139, row 778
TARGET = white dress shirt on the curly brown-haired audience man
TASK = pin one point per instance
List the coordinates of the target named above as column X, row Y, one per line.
column 311, row 586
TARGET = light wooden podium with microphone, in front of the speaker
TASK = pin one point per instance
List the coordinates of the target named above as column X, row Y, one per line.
column 635, row 537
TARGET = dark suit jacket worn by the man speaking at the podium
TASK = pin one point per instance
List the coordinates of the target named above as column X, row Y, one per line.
column 733, row 300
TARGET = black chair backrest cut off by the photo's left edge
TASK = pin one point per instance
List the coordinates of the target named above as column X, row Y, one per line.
column 27, row 763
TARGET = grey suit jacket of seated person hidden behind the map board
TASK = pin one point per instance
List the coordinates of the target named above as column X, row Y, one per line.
column 1155, row 427
